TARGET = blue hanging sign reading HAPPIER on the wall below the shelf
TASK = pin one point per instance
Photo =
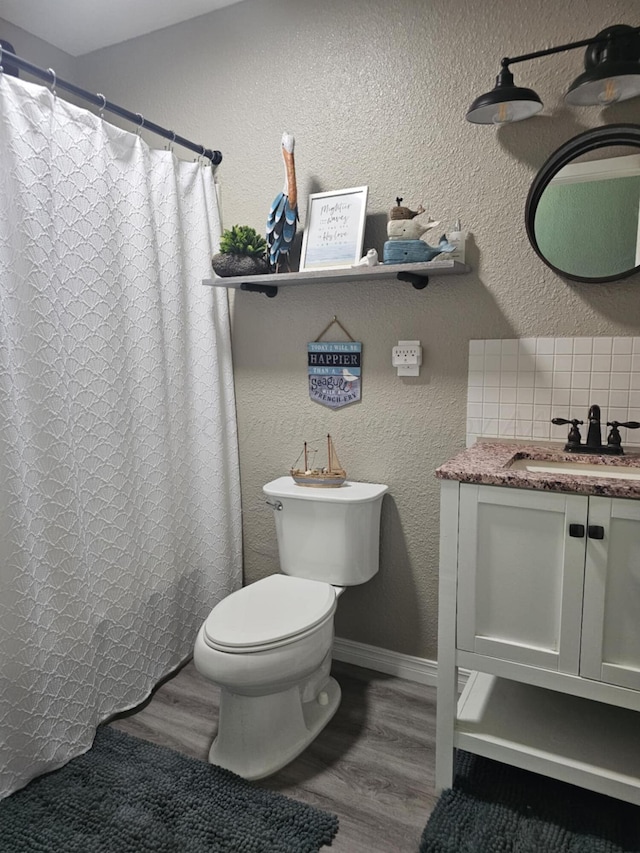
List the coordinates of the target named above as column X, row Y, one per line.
column 334, row 372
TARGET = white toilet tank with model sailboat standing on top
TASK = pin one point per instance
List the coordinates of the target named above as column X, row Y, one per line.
column 330, row 535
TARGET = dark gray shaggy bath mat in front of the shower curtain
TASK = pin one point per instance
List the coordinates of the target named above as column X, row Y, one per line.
column 126, row 795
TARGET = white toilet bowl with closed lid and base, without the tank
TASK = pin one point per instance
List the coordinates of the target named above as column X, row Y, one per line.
column 268, row 647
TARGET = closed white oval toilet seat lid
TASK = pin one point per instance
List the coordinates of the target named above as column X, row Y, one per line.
column 269, row 613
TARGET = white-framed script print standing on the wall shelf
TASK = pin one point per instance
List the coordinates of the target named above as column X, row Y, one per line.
column 334, row 231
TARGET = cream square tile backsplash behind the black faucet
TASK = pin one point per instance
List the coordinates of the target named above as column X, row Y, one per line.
column 516, row 386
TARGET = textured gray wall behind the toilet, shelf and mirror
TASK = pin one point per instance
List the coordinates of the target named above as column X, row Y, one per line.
column 375, row 93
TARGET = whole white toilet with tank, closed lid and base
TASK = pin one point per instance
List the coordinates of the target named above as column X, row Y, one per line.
column 268, row 645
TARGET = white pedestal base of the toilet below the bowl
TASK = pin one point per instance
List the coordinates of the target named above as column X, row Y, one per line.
column 257, row 735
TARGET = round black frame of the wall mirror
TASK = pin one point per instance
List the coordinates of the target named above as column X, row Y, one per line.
column 590, row 140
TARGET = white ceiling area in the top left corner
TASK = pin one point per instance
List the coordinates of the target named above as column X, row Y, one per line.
column 80, row 26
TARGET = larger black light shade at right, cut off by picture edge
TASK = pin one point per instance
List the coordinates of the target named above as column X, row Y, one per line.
column 612, row 70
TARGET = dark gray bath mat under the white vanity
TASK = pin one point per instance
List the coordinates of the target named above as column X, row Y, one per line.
column 495, row 808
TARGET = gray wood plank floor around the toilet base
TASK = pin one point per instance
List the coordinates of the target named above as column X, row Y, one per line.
column 373, row 765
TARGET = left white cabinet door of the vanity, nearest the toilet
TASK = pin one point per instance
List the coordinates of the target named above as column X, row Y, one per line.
column 520, row 575
